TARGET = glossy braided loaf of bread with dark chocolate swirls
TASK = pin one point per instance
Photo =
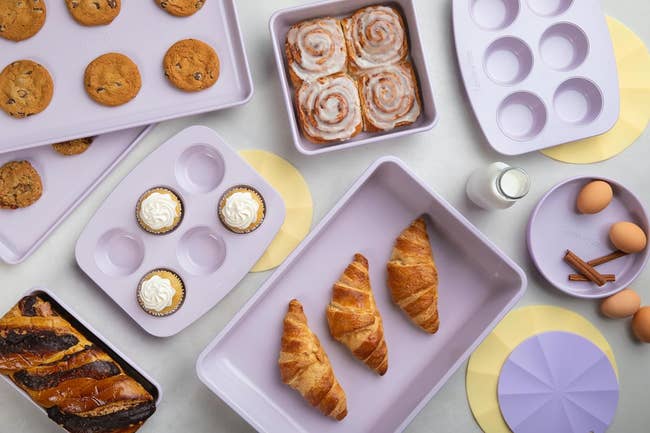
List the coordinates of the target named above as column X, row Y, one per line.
column 79, row 385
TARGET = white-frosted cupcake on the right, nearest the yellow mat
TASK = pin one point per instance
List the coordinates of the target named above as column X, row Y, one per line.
column 242, row 209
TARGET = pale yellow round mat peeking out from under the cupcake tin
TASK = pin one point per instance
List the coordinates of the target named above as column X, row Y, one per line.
column 293, row 189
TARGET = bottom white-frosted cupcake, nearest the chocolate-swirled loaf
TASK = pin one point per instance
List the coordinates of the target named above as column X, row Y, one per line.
column 161, row 292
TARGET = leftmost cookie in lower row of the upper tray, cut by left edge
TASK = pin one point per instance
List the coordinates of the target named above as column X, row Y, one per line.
column 26, row 88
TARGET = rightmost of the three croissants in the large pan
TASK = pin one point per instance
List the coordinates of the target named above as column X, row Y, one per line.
column 413, row 277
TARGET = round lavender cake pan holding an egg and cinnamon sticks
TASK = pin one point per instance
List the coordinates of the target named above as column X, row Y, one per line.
column 555, row 226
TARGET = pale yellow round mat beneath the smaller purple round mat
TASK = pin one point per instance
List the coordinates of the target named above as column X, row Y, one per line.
column 485, row 363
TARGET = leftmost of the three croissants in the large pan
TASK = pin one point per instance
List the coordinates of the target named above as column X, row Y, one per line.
column 305, row 367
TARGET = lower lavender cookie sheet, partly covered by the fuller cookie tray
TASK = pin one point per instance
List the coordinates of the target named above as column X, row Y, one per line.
column 22, row 231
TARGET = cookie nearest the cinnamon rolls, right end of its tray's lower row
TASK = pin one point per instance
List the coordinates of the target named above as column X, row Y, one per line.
column 191, row 65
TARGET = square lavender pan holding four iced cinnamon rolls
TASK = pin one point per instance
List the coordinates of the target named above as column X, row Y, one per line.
column 279, row 25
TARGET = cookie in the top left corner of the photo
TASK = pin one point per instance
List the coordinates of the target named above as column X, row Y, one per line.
column 20, row 20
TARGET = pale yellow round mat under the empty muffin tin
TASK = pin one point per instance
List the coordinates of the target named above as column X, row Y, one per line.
column 633, row 63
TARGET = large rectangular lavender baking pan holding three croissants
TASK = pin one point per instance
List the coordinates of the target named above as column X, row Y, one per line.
column 478, row 285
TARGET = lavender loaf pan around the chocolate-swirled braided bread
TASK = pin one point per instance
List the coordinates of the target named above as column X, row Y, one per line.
column 95, row 337
